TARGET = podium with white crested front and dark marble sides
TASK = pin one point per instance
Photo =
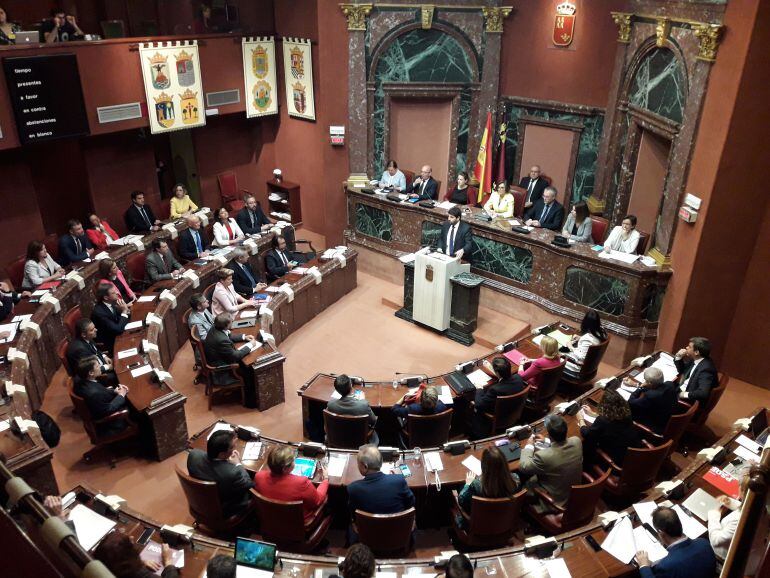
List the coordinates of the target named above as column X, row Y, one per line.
column 441, row 293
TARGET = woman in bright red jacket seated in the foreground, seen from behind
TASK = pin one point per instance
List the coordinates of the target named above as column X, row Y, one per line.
column 278, row 483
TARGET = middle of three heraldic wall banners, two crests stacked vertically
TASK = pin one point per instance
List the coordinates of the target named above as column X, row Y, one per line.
column 260, row 77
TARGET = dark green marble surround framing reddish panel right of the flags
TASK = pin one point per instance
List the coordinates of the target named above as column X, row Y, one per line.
column 588, row 148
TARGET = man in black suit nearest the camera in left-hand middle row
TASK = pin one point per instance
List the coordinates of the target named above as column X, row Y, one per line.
column 101, row 401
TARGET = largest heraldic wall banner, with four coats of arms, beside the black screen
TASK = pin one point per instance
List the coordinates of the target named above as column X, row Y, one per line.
column 172, row 85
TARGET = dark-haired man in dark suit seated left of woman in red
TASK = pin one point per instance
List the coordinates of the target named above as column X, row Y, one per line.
column 221, row 463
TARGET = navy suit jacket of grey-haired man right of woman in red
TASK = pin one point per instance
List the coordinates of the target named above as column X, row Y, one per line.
column 378, row 493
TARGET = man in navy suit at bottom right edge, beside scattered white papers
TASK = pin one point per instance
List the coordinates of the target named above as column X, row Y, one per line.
column 686, row 558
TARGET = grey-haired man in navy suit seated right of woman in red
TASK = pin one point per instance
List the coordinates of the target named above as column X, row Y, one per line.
column 378, row 493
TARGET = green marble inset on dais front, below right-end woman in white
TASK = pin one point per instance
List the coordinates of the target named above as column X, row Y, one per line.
column 594, row 290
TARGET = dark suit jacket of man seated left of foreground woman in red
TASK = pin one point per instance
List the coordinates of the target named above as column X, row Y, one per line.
column 233, row 482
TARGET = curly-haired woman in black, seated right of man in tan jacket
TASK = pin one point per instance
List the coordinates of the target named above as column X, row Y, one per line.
column 613, row 431
